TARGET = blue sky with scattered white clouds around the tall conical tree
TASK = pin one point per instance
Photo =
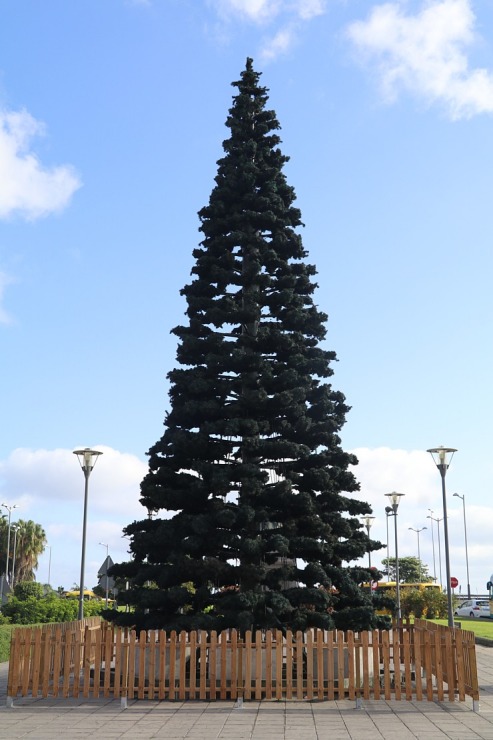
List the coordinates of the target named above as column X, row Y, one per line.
column 111, row 121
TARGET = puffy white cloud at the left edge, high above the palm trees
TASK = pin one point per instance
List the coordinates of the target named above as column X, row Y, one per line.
column 26, row 186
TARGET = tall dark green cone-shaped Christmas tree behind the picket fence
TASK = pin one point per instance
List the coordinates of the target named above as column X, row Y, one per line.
column 260, row 521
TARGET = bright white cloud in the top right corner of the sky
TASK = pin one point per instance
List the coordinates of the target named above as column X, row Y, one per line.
column 425, row 54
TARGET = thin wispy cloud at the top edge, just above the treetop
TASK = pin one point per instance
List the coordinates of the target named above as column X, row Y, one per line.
column 288, row 16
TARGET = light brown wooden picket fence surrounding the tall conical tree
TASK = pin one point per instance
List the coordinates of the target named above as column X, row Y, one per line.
column 95, row 659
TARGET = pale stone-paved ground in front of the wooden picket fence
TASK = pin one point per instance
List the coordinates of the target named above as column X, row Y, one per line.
column 339, row 720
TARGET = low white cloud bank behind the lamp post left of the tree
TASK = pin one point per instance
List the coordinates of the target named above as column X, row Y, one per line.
column 47, row 486
